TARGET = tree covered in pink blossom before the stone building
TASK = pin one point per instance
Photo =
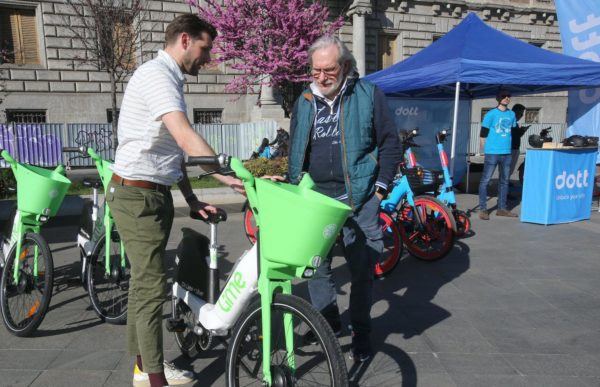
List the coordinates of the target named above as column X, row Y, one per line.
column 266, row 40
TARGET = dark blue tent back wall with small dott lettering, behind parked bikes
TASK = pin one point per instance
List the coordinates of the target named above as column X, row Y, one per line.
column 431, row 116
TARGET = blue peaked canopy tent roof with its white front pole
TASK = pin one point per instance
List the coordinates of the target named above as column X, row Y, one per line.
column 473, row 60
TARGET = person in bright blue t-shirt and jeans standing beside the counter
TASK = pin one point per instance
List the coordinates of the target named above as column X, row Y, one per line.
column 495, row 143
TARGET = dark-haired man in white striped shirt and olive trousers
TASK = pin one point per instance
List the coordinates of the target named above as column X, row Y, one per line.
column 154, row 133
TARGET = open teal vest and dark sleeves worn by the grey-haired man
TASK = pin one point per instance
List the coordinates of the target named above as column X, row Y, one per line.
column 369, row 145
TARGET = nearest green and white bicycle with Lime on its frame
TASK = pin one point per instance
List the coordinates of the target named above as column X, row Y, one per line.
column 255, row 307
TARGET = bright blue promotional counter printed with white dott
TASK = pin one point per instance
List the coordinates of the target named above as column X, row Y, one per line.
column 558, row 185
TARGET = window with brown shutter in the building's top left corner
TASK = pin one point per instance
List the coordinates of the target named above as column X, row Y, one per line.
column 18, row 36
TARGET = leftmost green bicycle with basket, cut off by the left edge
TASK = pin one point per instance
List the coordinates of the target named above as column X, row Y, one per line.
column 27, row 275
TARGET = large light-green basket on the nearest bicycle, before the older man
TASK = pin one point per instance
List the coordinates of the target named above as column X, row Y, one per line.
column 297, row 225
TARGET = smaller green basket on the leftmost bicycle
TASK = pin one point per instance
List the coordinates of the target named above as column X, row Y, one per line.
column 41, row 191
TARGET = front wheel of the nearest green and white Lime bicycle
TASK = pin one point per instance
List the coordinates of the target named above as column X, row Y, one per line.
column 320, row 364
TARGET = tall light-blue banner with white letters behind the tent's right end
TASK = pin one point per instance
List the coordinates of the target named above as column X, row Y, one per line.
column 579, row 23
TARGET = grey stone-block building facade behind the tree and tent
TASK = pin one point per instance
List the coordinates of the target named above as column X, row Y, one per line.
column 379, row 32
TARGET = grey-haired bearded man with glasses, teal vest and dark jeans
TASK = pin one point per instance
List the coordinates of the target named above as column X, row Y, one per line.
column 343, row 134
